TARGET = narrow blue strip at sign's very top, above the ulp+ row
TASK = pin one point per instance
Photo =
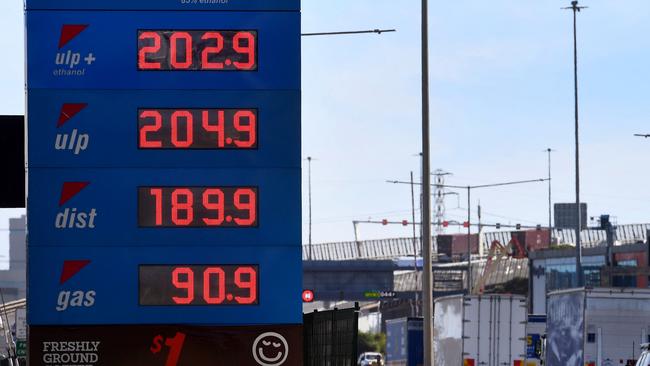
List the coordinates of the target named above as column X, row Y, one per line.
column 214, row 5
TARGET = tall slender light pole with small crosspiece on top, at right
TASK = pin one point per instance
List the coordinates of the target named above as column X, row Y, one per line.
column 580, row 276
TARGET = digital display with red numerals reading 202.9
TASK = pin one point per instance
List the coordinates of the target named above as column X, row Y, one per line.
column 197, row 50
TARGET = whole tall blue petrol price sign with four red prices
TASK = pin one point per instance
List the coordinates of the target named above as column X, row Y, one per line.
column 164, row 182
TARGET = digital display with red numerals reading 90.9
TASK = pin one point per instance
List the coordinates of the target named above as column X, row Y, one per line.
column 199, row 285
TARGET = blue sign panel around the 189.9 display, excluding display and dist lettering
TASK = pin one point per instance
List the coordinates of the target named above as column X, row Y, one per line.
column 112, row 193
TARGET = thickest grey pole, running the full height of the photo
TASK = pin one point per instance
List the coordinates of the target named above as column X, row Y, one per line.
column 427, row 280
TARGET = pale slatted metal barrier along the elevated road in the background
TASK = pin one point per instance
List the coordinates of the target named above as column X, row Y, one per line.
column 399, row 247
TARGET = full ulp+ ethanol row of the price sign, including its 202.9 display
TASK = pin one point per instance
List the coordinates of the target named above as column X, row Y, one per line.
column 164, row 50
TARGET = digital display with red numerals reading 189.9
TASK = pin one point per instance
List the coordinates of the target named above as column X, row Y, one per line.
column 197, row 206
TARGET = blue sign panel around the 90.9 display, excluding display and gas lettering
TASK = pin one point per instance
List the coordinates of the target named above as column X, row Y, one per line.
column 113, row 275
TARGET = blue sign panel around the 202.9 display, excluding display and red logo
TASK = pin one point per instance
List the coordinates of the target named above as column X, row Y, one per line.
column 107, row 50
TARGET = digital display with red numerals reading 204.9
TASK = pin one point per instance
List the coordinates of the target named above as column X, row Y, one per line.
column 197, row 128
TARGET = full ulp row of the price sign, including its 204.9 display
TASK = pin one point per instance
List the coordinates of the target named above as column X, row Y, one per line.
column 154, row 128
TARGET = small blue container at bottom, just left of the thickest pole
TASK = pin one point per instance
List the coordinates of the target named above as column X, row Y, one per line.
column 404, row 342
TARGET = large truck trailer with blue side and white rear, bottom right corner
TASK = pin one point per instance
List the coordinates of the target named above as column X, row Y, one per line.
column 596, row 327
